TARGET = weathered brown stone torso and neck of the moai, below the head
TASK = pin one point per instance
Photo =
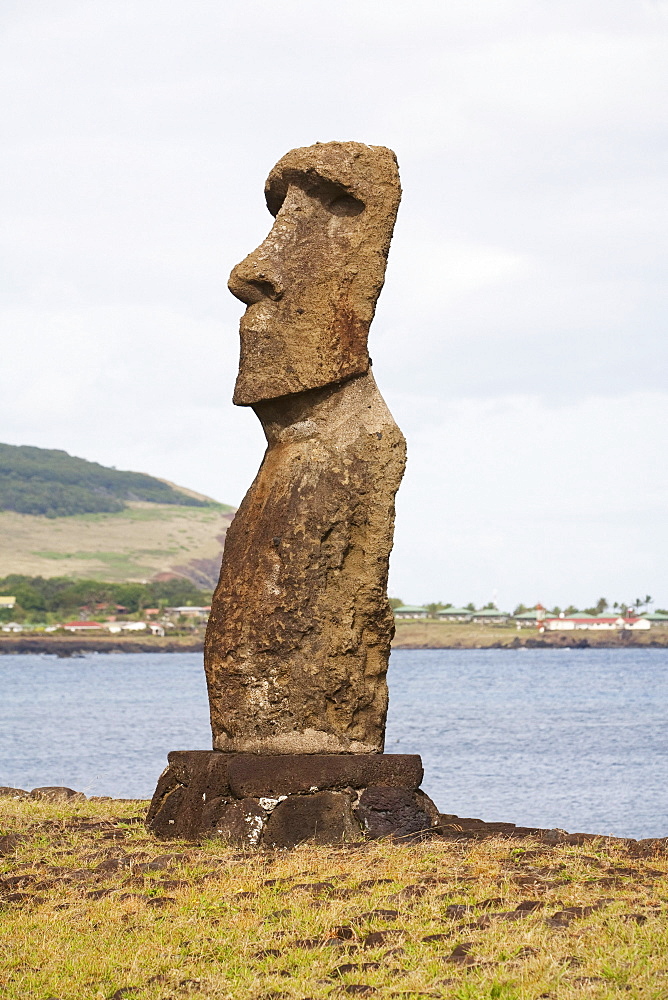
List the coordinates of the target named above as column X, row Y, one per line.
column 300, row 628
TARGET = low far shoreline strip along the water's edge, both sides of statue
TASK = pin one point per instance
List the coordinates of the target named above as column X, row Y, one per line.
column 410, row 635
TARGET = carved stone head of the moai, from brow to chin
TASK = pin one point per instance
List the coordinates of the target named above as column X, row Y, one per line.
column 311, row 286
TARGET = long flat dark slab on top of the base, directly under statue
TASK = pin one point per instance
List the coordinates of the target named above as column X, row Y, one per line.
column 251, row 774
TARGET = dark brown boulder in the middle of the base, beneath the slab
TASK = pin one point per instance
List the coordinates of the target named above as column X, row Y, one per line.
column 324, row 818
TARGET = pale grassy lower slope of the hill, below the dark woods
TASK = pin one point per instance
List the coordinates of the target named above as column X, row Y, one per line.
column 134, row 544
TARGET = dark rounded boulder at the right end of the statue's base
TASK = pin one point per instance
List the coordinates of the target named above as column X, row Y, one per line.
column 395, row 812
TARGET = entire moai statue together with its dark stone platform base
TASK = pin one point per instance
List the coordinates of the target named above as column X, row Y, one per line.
column 299, row 635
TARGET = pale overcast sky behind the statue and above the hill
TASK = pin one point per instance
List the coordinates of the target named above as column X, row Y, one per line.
column 520, row 340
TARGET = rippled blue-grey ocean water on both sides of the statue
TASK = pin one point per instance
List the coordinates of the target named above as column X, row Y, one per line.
column 576, row 739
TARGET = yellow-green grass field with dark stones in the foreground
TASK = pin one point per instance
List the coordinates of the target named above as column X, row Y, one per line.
column 93, row 907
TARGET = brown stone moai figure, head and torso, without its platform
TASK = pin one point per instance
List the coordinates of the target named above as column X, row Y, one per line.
column 299, row 634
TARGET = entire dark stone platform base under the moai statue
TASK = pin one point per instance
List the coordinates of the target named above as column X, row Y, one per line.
column 280, row 801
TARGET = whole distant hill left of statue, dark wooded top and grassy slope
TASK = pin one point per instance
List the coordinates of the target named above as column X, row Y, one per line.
column 64, row 516
